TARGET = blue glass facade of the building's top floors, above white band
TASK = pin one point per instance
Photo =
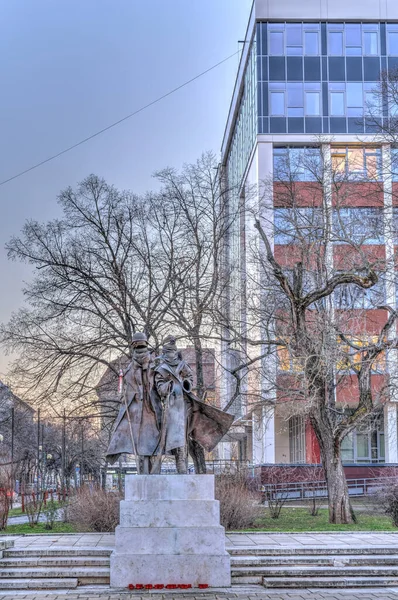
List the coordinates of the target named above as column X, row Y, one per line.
column 322, row 77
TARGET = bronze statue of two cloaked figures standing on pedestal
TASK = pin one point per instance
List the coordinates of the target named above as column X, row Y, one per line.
column 159, row 415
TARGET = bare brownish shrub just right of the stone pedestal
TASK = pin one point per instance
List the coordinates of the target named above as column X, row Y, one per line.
column 239, row 500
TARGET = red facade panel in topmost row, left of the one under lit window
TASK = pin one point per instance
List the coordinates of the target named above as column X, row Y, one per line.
column 297, row 194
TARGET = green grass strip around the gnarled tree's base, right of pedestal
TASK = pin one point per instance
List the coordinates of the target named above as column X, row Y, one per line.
column 299, row 519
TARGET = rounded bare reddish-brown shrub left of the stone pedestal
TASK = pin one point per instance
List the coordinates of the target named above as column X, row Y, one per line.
column 94, row 509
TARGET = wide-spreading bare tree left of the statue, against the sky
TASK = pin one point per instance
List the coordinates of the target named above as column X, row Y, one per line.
column 100, row 276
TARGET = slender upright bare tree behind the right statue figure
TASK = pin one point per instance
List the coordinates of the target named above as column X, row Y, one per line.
column 198, row 204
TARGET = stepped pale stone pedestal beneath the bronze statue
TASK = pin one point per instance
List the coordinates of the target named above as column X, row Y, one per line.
column 170, row 533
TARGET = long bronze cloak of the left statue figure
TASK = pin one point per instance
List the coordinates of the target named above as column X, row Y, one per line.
column 144, row 406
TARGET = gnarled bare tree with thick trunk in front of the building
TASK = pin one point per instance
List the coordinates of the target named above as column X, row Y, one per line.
column 311, row 269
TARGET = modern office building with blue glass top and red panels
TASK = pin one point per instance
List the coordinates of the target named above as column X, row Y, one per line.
column 307, row 74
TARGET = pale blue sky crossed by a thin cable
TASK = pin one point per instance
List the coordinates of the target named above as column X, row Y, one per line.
column 71, row 67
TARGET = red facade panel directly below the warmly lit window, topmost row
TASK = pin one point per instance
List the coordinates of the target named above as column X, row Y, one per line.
column 368, row 193
